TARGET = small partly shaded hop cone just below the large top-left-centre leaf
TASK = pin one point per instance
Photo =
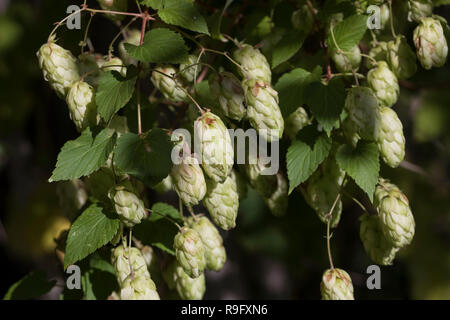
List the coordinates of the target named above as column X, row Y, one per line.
column 169, row 87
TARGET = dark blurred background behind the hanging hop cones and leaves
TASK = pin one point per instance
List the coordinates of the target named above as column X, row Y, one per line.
column 268, row 257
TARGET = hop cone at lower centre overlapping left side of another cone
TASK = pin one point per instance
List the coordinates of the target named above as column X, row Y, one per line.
column 190, row 252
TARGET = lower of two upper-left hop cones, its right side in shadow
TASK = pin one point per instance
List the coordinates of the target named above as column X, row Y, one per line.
column 82, row 107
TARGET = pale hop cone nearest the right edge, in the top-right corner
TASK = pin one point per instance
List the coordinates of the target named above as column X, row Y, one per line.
column 431, row 44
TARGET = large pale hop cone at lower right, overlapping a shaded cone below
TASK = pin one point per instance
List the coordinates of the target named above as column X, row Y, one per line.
column 396, row 219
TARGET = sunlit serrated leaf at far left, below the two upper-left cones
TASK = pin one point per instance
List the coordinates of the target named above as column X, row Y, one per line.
column 84, row 155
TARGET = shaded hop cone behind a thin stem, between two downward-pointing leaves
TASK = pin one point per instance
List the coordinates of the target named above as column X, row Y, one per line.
column 322, row 190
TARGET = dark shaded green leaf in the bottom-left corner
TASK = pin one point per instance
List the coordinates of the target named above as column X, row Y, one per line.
column 32, row 286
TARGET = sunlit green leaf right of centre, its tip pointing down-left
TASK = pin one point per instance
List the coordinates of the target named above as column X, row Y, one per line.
column 305, row 154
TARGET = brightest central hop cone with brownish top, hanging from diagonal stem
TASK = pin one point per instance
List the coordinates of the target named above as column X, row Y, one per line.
column 215, row 146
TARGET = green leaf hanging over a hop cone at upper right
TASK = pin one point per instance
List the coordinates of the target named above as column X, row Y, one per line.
column 349, row 32
